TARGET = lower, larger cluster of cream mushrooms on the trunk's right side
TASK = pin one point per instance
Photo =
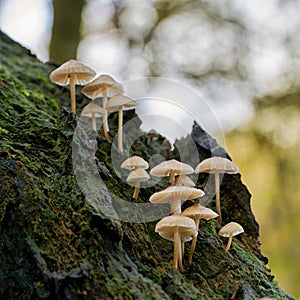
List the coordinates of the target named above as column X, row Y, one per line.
column 182, row 226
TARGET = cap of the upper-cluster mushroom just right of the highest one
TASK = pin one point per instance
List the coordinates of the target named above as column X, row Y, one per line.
column 100, row 84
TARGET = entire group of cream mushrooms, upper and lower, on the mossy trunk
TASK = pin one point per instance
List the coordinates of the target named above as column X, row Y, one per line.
column 179, row 227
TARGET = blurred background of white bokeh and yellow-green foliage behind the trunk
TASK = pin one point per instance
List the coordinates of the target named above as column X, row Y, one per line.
column 241, row 57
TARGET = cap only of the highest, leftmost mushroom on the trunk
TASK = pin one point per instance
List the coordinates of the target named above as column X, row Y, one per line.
column 82, row 73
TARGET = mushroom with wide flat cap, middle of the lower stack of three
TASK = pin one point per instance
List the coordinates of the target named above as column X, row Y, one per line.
column 175, row 196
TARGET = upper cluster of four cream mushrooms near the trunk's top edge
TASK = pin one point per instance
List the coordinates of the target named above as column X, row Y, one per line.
column 74, row 73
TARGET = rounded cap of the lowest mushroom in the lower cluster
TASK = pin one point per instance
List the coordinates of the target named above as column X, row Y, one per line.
column 167, row 226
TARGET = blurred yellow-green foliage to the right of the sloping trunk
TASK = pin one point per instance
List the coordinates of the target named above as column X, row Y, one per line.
column 267, row 152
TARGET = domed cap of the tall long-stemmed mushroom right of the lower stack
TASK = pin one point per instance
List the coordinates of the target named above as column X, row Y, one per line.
column 217, row 165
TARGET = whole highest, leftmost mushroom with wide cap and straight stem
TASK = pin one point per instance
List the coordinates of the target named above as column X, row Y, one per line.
column 72, row 72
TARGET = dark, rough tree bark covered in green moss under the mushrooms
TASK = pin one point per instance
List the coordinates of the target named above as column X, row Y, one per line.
column 55, row 244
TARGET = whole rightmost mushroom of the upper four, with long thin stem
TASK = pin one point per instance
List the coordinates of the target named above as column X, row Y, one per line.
column 120, row 103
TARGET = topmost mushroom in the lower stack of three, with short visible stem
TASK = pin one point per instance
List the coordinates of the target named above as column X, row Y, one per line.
column 171, row 168
